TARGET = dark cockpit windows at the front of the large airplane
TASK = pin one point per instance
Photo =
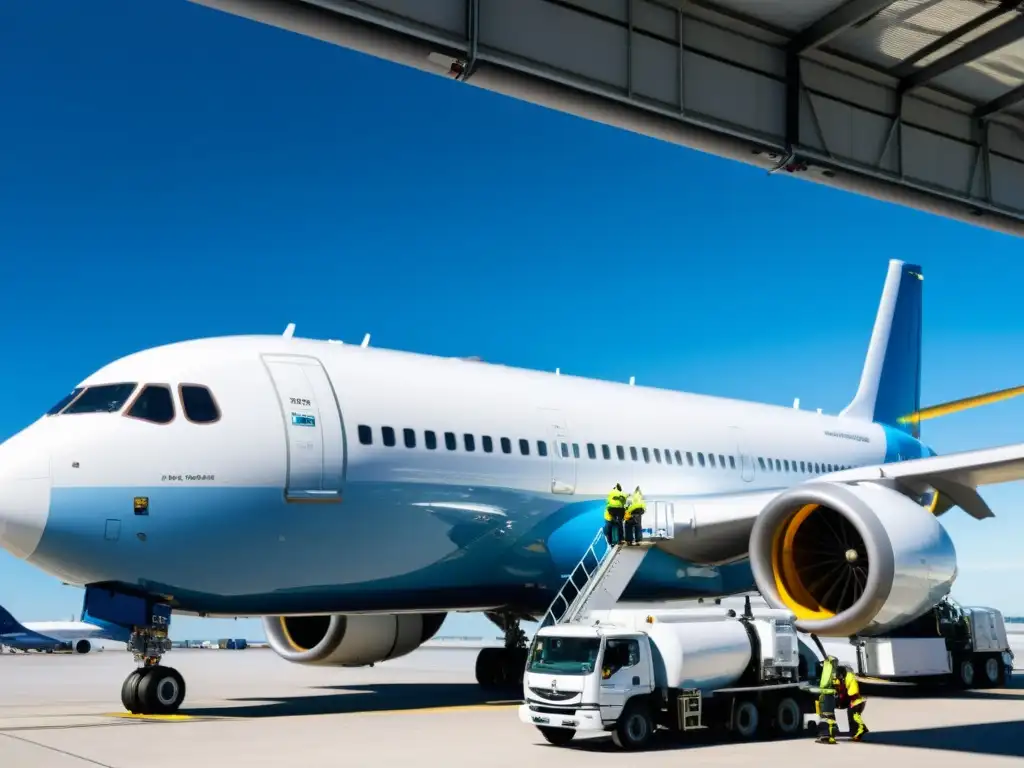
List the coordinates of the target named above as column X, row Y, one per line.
column 155, row 403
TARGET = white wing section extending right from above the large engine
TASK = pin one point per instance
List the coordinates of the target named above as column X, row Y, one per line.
column 957, row 477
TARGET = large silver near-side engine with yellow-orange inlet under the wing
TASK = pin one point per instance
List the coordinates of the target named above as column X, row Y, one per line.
column 850, row 560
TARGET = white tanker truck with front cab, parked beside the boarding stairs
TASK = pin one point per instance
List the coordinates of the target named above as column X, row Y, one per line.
column 630, row 672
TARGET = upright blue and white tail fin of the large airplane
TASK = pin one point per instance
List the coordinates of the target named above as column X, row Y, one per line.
column 890, row 385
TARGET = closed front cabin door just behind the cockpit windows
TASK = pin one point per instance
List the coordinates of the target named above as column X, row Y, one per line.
column 313, row 429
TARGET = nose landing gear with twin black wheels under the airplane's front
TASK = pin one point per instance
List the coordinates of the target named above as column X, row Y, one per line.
column 152, row 690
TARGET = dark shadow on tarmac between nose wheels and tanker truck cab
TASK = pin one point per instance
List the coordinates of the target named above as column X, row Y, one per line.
column 362, row 699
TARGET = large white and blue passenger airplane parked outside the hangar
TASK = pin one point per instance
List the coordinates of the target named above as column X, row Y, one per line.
column 353, row 497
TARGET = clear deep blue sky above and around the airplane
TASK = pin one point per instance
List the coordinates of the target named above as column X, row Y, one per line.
column 172, row 173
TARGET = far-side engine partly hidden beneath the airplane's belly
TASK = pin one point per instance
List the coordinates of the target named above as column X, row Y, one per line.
column 354, row 641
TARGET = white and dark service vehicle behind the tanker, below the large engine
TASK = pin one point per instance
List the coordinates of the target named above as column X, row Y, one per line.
column 966, row 648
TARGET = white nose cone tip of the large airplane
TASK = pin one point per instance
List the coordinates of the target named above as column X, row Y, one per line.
column 25, row 497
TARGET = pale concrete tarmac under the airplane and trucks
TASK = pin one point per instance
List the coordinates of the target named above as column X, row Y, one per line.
column 252, row 709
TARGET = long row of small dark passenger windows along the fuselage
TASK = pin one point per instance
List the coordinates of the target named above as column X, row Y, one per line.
column 667, row 456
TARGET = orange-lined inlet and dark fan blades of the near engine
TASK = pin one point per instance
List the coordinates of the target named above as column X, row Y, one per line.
column 820, row 563
